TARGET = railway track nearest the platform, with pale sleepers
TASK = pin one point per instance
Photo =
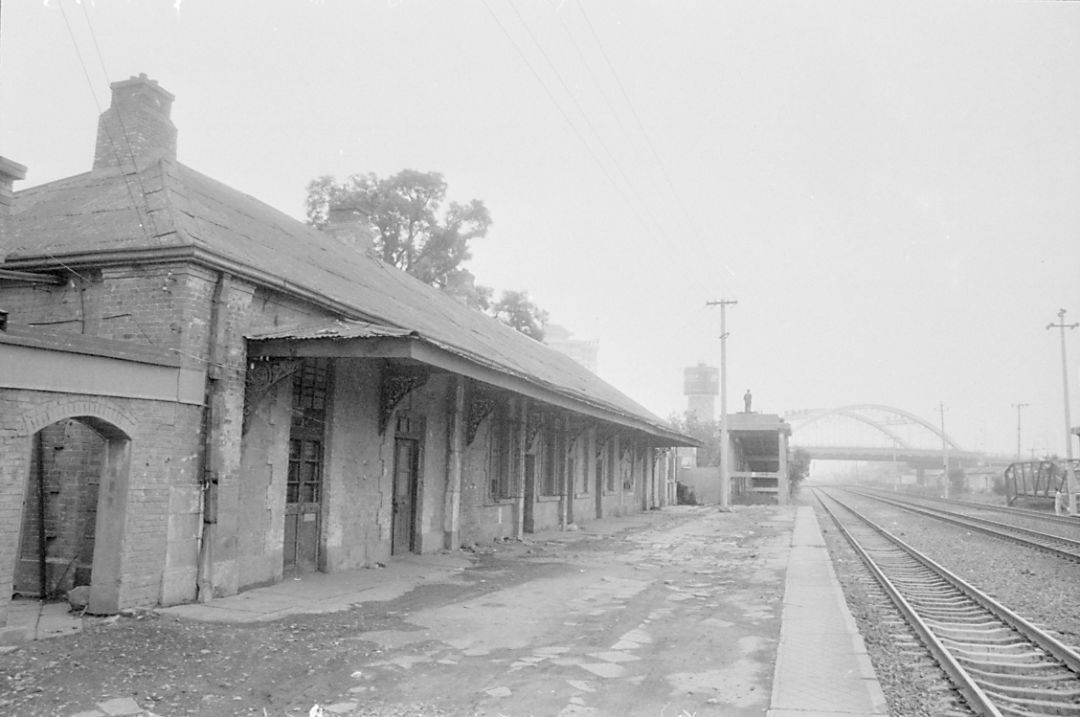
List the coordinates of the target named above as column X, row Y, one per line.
column 998, row 661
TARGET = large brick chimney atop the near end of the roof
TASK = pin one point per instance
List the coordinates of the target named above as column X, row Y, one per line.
column 137, row 127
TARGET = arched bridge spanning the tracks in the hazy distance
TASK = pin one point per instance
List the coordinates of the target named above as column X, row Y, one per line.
column 874, row 432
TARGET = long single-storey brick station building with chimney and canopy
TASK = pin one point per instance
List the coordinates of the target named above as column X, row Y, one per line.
column 202, row 395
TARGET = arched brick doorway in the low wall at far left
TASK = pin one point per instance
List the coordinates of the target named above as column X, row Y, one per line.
column 74, row 508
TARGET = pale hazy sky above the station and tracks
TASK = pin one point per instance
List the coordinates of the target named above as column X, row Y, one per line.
column 890, row 191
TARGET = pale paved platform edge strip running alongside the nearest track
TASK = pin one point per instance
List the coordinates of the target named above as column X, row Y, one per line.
column 822, row 666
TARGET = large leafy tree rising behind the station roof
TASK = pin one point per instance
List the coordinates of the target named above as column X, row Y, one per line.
column 412, row 231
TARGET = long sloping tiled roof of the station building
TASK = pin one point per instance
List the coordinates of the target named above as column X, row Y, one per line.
column 89, row 218
